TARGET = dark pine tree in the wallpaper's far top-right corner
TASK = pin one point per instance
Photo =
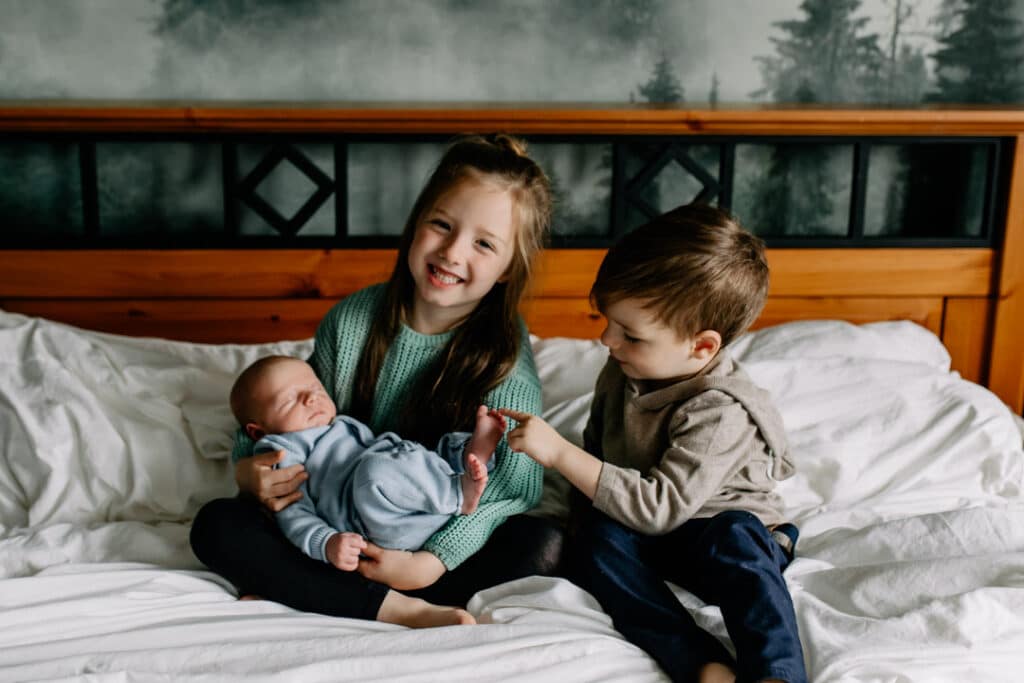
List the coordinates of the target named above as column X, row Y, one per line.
column 983, row 56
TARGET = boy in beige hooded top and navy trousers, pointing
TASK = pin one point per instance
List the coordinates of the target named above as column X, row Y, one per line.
column 681, row 455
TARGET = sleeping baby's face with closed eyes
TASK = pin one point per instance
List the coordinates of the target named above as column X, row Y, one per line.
column 292, row 399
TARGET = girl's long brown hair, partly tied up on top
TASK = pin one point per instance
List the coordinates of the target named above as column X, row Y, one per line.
column 485, row 348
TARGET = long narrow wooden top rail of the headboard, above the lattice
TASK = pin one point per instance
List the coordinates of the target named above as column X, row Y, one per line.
column 525, row 119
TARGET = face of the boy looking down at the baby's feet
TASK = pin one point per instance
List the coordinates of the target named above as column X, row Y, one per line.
column 648, row 350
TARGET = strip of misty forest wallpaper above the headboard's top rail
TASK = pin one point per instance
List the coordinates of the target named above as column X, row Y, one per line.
column 850, row 52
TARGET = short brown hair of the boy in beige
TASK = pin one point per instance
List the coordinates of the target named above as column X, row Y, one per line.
column 696, row 266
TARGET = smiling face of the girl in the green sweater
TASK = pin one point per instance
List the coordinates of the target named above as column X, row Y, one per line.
column 462, row 247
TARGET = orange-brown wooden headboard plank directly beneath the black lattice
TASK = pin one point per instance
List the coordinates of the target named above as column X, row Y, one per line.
column 569, row 273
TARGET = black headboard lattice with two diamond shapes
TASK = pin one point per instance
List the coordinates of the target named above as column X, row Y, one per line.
column 22, row 225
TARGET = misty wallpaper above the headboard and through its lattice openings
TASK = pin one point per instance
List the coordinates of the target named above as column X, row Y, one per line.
column 697, row 53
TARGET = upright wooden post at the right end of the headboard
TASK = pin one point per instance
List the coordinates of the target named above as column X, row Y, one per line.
column 1006, row 372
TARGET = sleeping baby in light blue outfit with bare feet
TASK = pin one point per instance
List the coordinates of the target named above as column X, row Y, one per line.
column 393, row 492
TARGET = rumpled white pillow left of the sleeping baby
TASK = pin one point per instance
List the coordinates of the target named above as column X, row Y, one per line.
column 100, row 428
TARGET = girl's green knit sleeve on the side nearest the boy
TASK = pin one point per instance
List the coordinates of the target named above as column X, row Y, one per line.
column 517, row 482
